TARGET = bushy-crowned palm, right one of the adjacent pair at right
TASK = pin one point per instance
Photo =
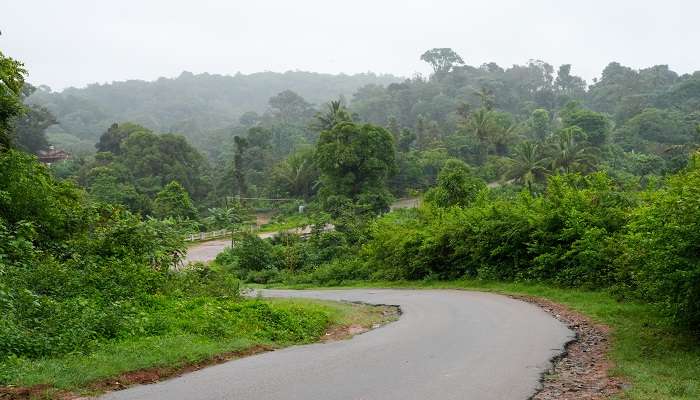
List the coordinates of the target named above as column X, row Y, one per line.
column 571, row 155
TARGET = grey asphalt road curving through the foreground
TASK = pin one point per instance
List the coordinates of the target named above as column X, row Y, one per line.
column 446, row 345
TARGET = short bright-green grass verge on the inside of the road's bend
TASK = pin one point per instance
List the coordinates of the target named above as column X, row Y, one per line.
column 265, row 325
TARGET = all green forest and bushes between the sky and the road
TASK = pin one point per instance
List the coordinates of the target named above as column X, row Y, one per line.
column 526, row 173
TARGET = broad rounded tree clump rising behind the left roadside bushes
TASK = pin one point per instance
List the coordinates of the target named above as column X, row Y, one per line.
column 135, row 166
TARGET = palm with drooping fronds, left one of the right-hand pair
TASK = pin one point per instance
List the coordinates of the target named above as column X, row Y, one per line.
column 528, row 164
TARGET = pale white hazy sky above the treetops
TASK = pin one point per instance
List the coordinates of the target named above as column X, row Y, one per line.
column 76, row 42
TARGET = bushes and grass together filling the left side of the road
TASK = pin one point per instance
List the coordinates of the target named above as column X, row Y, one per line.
column 90, row 290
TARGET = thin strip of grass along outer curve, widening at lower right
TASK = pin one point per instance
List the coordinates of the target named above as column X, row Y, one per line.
column 657, row 361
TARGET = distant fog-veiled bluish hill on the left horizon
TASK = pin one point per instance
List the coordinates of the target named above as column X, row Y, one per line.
column 189, row 104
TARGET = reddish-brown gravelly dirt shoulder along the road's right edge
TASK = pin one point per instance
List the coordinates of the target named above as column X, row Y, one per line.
column 582, row 371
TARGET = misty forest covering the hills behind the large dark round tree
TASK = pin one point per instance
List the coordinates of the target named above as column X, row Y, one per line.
column 514, row 125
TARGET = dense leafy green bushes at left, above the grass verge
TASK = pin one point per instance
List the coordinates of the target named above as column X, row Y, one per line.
column 72, row 273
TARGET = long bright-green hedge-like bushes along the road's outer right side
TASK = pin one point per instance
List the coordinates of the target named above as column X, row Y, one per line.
column 583, row 231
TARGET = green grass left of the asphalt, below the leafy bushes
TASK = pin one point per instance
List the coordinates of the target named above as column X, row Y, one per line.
column 307, row 320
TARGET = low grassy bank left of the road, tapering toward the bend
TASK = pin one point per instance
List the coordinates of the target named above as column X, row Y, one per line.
column 197, row 332
